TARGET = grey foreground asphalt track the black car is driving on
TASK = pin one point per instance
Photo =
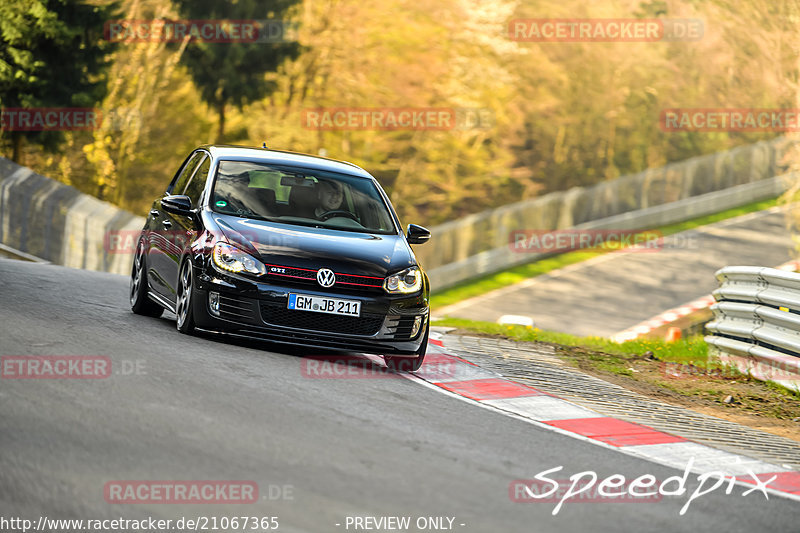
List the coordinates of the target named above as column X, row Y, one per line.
column 200, row 408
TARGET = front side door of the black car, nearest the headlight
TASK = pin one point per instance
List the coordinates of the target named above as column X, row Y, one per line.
column 183, row 228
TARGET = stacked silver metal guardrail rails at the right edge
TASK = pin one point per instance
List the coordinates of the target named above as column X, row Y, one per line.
column 756, row 325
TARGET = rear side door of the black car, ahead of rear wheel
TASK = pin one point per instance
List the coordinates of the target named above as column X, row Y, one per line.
column 161, row 243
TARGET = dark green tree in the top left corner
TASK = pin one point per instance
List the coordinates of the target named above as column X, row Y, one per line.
column 51, row 55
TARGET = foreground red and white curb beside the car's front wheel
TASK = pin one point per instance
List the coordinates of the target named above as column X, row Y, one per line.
column 467, row 381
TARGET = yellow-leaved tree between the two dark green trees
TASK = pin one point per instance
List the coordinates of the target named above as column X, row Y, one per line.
column 147, row 94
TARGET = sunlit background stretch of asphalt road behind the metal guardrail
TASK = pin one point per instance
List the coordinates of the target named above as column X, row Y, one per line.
column 613, row 292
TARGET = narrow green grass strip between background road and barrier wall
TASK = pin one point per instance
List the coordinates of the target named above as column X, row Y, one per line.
column 520, row 273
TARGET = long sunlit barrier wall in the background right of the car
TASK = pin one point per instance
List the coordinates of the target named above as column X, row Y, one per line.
column 470, row 236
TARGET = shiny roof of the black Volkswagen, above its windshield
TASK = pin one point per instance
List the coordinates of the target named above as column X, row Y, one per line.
column 265, row 155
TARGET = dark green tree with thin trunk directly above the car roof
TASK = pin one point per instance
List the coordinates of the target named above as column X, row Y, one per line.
column 235, row 72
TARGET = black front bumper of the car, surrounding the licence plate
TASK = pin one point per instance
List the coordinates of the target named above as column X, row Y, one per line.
column 258, row 310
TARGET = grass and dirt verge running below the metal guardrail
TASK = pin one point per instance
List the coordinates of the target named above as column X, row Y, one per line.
column 679, row 372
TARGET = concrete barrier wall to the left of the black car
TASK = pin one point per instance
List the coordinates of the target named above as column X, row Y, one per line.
column 56, row 222
